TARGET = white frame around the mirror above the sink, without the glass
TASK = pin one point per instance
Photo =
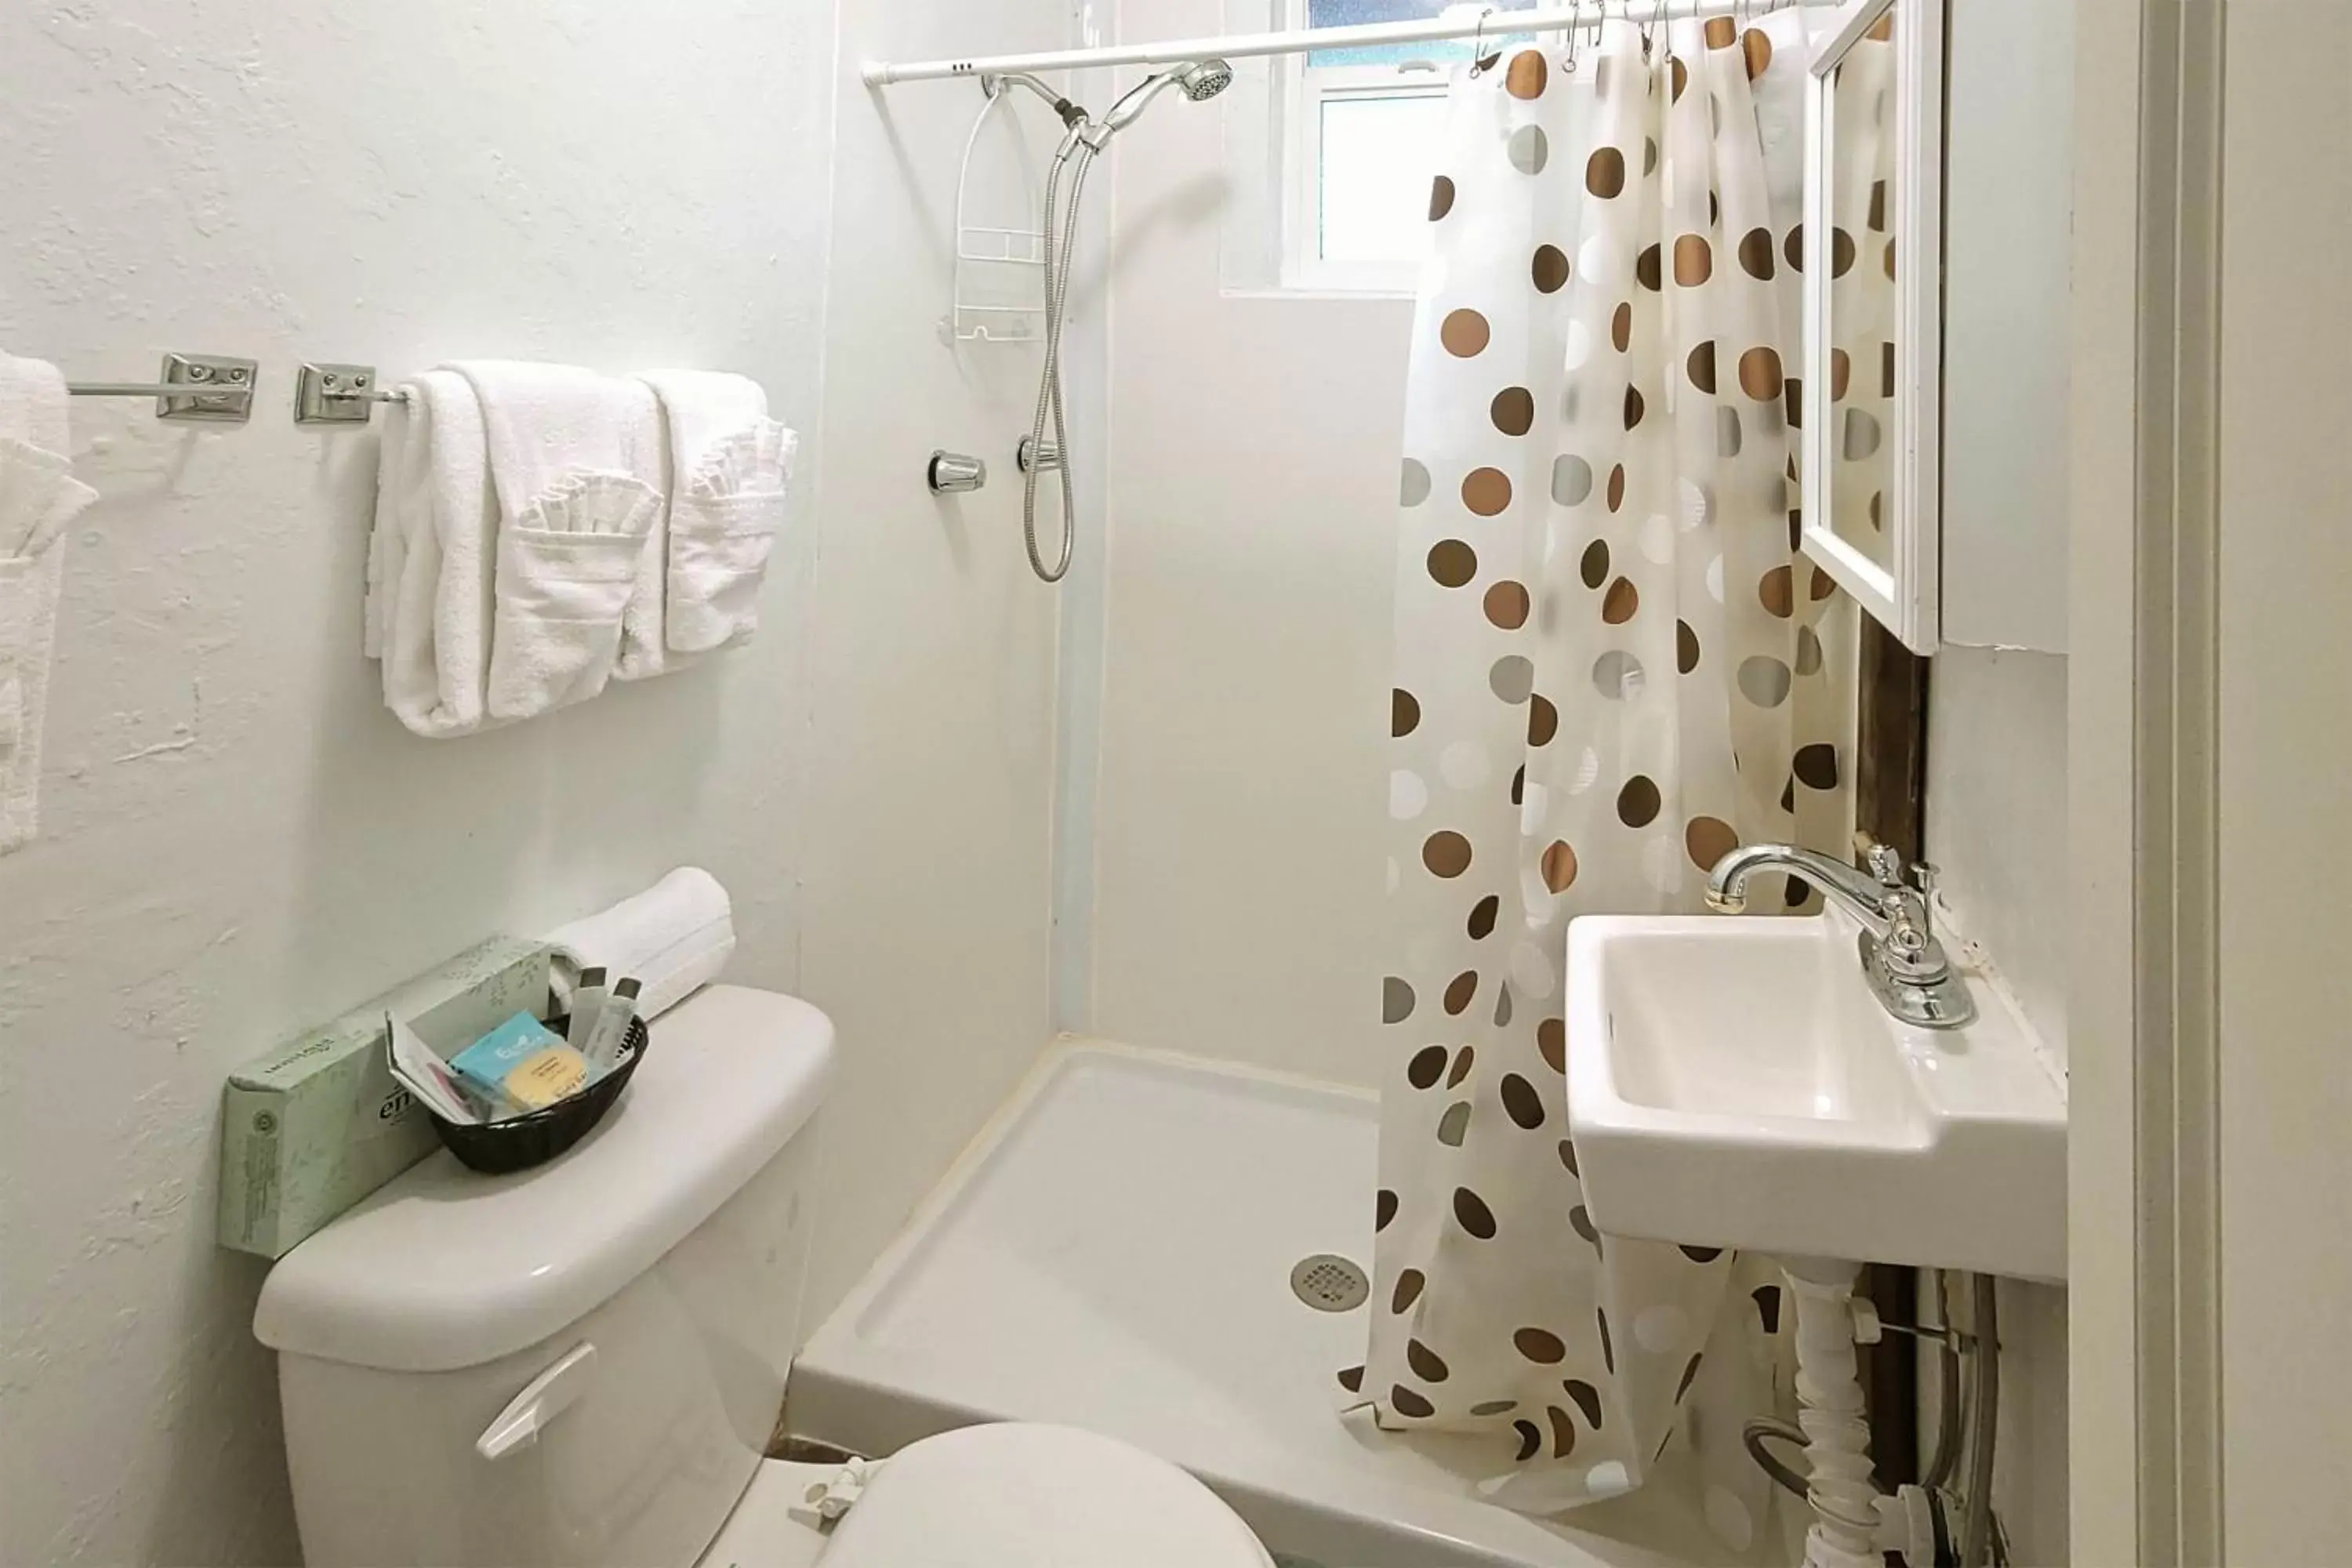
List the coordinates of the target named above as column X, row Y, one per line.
column 1904, row 601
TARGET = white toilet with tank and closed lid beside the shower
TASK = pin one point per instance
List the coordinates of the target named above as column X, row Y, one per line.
column 580, row 1367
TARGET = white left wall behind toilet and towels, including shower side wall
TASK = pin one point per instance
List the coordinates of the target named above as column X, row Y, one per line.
column 239, row 840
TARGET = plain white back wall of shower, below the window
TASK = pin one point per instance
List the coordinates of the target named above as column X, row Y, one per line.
column 1245, row 692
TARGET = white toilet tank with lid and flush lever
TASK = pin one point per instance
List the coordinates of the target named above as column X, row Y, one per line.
column 648, row 1285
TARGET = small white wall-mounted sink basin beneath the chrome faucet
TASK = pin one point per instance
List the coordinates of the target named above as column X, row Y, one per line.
column 1732, row 1083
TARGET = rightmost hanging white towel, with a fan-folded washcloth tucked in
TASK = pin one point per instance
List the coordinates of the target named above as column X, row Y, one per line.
column 730, row 474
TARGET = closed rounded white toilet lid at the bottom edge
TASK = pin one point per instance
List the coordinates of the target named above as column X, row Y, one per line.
column 1031, row 1496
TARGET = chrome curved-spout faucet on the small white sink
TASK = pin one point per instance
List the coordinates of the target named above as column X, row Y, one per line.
column 1906, row 967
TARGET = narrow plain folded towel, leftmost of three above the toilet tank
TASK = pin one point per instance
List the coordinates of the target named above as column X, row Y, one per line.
column 432, row 558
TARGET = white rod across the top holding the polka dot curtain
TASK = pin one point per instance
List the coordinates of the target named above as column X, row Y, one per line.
column 1299, row 41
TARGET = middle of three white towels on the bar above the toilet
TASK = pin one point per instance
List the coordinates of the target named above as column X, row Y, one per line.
column 577, row 464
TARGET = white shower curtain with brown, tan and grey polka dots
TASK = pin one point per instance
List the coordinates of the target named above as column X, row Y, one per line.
column 1612, row 669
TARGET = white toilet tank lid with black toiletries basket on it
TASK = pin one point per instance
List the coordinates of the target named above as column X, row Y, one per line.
column 446, row 1268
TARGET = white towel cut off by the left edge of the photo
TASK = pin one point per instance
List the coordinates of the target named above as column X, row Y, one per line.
column 39, row 497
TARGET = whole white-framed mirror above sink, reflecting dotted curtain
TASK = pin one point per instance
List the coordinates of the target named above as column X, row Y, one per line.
column 1873, row 311
